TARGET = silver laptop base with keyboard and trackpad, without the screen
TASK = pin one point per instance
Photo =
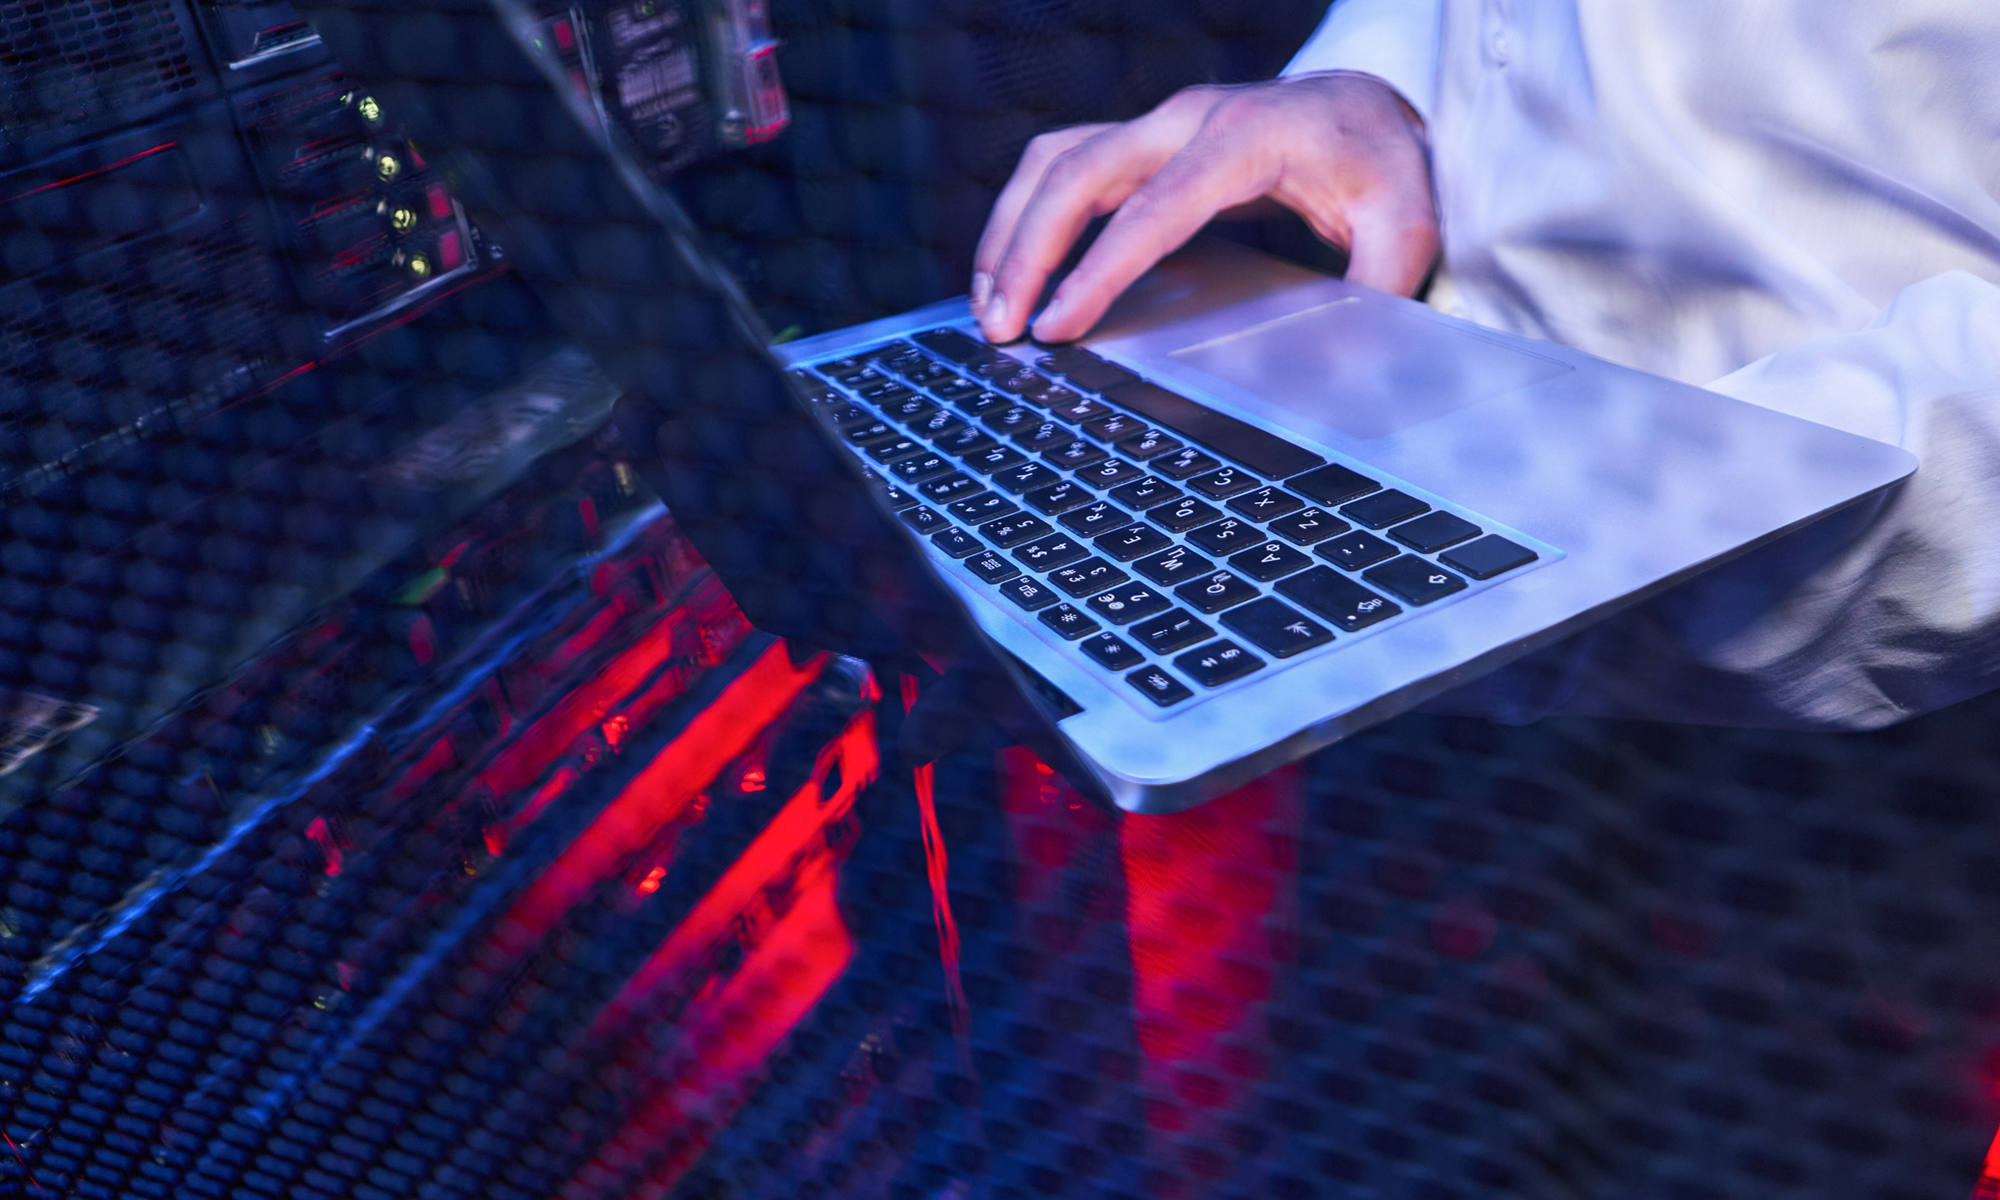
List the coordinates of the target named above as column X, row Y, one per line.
column 1261, row 509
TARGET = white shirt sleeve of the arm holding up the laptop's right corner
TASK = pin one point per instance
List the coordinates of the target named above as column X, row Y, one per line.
column 1875, row 615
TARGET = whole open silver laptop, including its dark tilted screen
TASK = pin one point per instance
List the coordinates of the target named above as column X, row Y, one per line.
column 1253, row 513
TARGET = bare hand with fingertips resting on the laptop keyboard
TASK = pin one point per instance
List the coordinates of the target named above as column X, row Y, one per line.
column 1339, row 149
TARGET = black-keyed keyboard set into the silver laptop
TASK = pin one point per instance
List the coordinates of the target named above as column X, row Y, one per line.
column 1169, row 545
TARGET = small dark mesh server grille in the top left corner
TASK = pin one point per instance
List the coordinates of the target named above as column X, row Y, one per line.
column 69, row 65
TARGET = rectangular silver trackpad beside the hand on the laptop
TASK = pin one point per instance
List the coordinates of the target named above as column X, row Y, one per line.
column 1367, row 371
